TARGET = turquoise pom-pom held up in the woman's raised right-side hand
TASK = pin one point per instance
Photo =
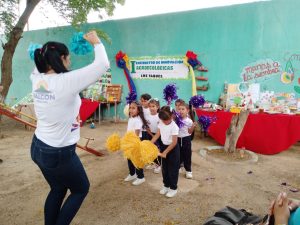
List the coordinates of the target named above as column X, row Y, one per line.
column 79, row 45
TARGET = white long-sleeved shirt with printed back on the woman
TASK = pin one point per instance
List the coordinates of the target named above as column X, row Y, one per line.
column 57, row 102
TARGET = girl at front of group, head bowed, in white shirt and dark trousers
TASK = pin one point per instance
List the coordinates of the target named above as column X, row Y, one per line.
column 169, row 152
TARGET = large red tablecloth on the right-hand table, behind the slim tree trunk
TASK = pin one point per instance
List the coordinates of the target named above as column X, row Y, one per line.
column 263, row 133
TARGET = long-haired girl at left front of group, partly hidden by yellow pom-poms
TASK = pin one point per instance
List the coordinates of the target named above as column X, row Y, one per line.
column 136, row 123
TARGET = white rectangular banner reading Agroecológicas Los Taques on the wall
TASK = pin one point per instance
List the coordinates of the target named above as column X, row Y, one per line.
column 158, row 68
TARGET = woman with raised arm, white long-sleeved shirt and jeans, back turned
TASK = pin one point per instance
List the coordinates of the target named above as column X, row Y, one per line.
column 55, row 92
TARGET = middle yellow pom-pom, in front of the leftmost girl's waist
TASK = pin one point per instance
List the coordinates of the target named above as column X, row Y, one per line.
column 130, row 142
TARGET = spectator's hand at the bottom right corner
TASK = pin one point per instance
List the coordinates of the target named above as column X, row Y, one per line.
column 281, row 210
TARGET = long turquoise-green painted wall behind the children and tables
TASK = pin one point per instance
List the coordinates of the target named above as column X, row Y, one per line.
column 226, row 39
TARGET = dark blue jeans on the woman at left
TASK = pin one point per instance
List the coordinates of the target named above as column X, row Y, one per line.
column 62, row 170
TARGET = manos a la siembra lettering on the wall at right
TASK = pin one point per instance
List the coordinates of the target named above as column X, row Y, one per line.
column 260, row 70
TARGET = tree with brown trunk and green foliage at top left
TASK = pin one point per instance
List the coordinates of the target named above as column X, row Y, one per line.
column 12, row 25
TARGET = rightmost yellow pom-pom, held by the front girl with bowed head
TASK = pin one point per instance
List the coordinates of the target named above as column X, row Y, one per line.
column 148, row 152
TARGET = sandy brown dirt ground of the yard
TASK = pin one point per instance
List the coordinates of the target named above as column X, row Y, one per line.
column 112, row 201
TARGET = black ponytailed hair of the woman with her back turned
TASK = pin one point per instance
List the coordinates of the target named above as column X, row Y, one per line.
column 49, row 57
